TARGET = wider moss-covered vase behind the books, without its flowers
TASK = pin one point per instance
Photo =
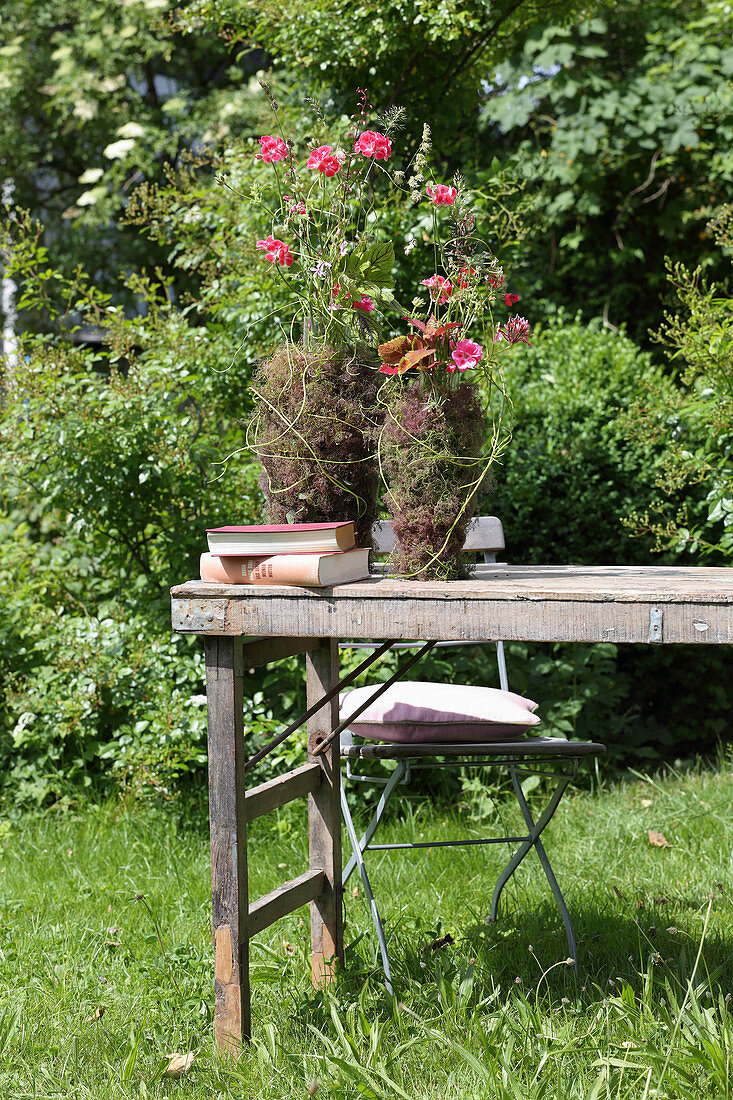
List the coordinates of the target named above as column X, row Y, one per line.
column 316, row 416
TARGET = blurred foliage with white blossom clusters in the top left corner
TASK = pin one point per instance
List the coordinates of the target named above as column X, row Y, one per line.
column 97, row 96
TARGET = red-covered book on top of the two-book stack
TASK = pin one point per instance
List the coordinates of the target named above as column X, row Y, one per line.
column 281, row 538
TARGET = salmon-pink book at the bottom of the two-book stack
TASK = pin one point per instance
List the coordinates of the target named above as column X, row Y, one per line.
column 305, row 570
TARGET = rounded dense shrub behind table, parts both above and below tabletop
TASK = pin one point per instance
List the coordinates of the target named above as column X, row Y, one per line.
column 567, row 485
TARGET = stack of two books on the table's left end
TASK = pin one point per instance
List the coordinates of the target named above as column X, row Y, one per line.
column 312, row 556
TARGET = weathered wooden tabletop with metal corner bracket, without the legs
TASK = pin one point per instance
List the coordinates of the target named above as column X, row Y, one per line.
column 530, row 603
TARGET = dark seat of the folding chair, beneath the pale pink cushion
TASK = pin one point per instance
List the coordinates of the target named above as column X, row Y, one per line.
column 517, row 750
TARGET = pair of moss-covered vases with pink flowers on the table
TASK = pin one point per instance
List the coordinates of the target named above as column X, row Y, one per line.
column 336, row 401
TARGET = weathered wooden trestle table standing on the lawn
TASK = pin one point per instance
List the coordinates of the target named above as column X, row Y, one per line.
column 247, row 626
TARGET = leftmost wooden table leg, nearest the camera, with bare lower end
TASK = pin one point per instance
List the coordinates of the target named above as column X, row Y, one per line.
column 229, row 885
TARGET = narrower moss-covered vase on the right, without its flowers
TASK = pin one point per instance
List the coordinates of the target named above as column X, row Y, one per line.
column 431, row 455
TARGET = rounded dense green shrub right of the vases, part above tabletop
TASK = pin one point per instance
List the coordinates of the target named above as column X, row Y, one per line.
column 571, row 477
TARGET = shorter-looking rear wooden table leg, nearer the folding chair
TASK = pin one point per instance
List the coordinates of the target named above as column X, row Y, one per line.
column 325, row 817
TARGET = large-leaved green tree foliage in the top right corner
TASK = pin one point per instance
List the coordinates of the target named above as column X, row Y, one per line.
column 622, row 129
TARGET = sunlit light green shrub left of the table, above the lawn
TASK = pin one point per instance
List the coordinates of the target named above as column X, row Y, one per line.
column 107, row 463
